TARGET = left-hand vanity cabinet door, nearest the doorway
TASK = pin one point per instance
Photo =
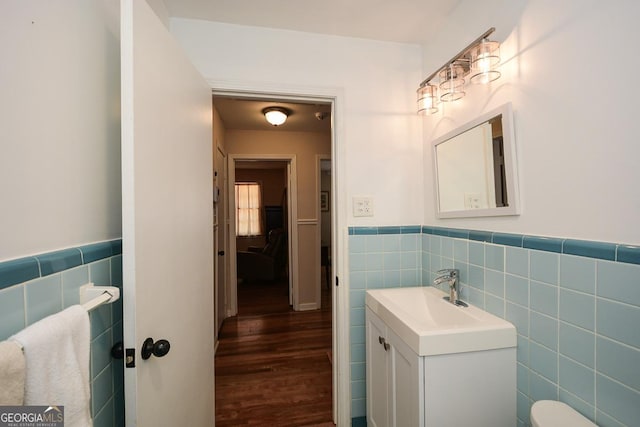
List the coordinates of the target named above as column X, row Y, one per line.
column 377, row 372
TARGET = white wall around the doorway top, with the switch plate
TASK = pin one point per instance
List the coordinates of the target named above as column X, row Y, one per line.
column 383, row 148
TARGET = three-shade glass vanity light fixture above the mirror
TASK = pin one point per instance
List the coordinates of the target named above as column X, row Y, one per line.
column 477, row 61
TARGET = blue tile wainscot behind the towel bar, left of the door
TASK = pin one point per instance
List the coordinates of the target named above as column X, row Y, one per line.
column 34, row 287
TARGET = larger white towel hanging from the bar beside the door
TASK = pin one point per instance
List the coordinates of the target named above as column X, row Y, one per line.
column 56, row 351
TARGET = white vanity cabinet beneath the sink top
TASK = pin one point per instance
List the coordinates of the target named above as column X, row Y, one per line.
column 404, row 389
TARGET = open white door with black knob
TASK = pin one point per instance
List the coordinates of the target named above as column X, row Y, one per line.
column 167, row 226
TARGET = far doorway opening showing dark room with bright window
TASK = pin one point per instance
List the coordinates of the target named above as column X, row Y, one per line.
column 266, row 261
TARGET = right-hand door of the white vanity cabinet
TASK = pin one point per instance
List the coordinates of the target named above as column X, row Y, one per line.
column 407, row 384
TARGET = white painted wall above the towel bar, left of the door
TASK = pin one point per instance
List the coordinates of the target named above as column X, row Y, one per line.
column 59, row 125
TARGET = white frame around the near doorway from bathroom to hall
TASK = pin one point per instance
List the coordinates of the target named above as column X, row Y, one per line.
column 339, row 225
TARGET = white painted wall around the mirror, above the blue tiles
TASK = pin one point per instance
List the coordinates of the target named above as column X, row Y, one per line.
column 568, row 71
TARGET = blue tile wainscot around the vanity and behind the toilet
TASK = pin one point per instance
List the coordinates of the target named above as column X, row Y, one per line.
column 572, row 302
